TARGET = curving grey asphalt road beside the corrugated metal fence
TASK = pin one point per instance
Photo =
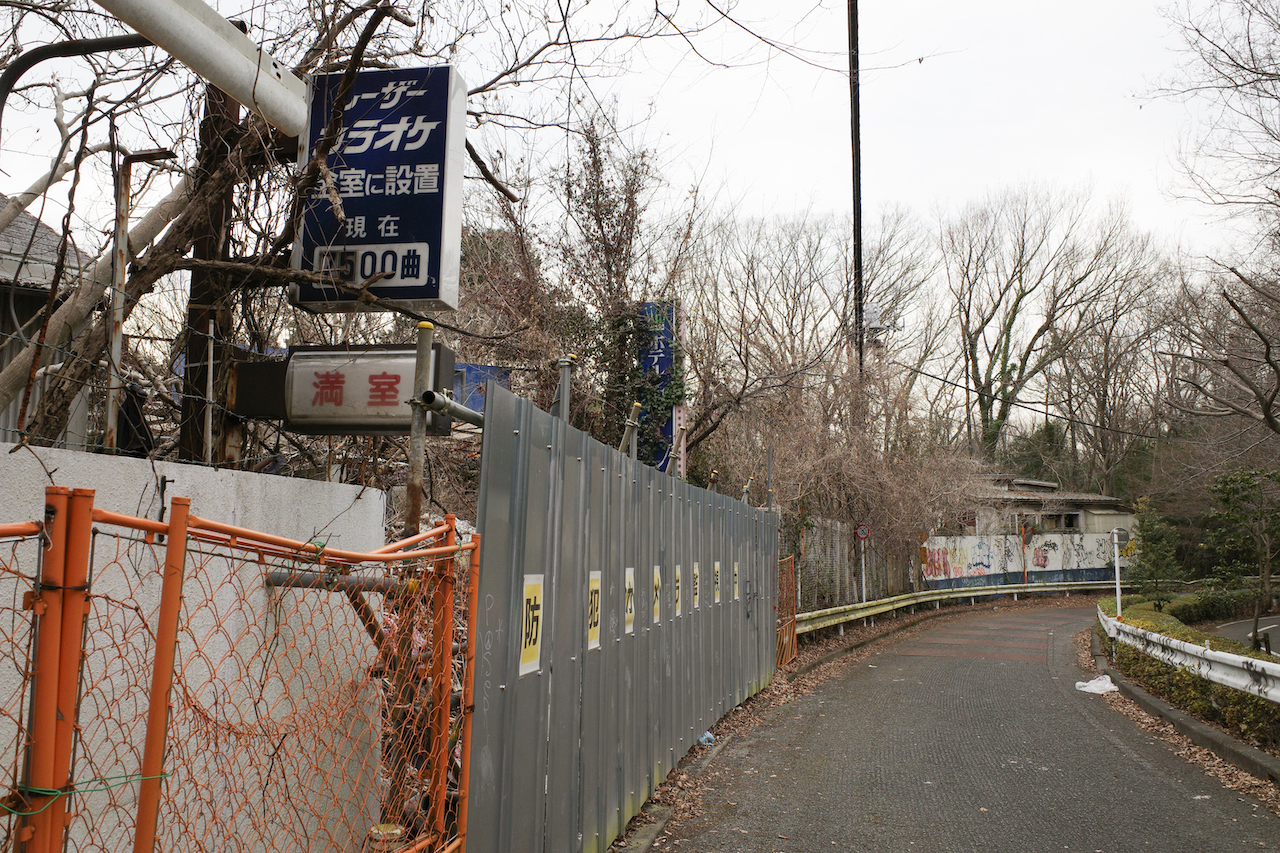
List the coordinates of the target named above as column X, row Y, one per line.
column 967, row 737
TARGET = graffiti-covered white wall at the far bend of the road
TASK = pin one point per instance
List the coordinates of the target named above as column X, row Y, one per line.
column 1046, row 558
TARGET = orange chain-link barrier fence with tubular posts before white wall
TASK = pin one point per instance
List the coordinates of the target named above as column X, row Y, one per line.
column 194, row 686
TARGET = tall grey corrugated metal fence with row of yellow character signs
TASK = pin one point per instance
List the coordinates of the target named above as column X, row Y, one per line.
column 566, row 755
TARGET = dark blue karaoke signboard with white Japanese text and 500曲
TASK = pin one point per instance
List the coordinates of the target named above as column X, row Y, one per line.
column 391, row 203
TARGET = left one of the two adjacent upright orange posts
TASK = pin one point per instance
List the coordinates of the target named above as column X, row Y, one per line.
column 38, row 831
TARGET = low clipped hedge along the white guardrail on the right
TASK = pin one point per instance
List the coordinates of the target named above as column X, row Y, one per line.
column 1245, row 715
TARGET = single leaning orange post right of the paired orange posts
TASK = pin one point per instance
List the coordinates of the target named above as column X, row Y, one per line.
column 162, row 677
